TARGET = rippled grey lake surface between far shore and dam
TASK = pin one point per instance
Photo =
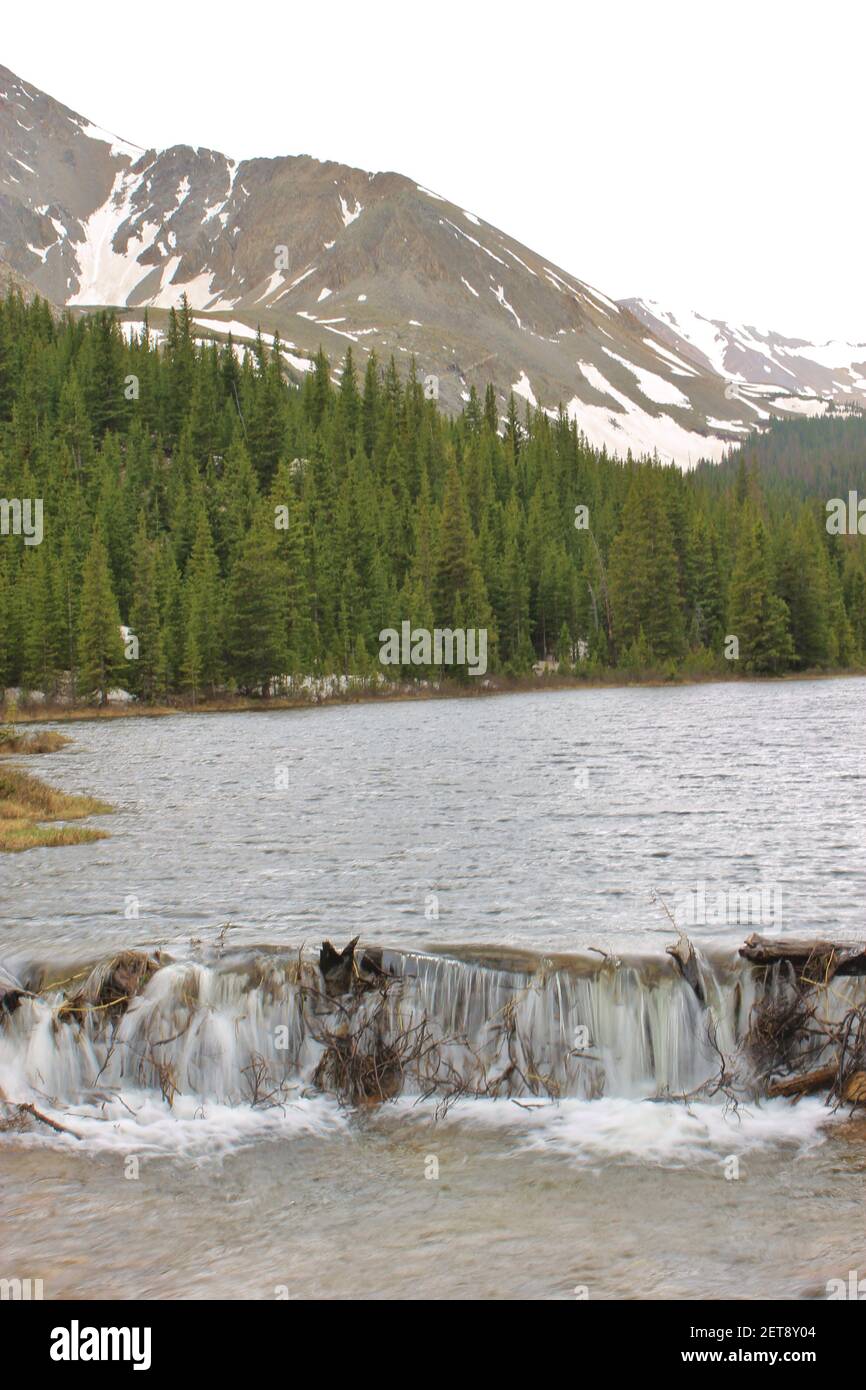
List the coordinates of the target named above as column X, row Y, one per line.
column 541, row 819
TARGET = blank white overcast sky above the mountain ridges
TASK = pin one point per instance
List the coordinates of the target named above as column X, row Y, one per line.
column 705, row 154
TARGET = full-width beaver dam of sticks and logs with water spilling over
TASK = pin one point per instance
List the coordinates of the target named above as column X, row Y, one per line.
column 263, row 1029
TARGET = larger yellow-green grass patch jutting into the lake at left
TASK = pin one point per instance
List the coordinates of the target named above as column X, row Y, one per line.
column 26, row 803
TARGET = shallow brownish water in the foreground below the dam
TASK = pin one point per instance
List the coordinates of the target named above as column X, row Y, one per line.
column 355, row 1216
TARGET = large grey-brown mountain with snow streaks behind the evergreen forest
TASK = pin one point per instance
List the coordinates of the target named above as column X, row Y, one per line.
column 334, row 256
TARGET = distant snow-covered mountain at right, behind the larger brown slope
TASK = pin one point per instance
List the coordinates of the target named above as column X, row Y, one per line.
column 765, row 359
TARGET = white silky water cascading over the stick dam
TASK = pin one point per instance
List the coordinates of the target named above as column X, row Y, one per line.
column 261, row 1031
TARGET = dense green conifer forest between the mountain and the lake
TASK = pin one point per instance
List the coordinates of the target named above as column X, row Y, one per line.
column 247, row 529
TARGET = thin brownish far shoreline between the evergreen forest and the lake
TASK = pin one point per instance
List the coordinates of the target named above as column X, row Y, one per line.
column 47, row 714
